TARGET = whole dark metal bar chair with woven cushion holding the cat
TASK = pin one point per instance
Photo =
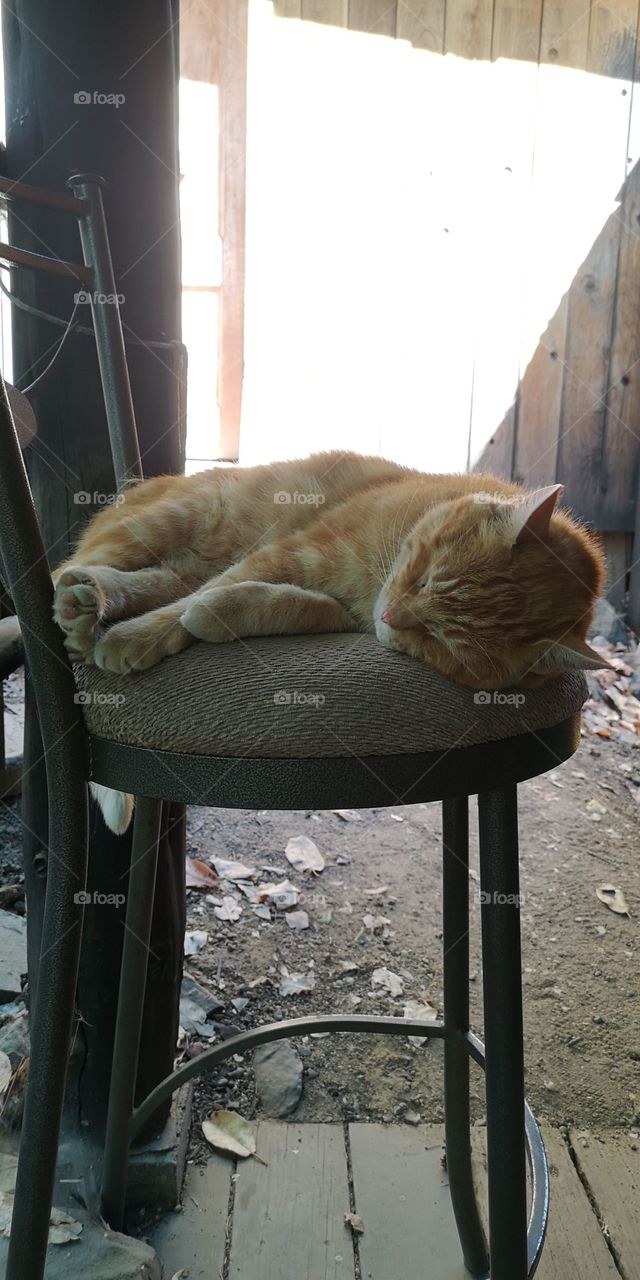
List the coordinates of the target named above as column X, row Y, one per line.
column 138, row 753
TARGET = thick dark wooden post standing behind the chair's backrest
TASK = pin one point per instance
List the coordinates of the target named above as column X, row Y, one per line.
column 94, row 90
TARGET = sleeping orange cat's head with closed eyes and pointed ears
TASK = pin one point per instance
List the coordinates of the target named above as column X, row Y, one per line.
column 495, row 591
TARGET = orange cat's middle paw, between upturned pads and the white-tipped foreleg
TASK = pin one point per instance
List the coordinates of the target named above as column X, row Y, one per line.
column 140, row 643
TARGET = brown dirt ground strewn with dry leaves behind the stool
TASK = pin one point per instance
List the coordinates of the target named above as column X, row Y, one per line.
column 580, row 959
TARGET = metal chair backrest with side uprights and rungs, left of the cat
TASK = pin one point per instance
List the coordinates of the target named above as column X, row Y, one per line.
column 24, row 564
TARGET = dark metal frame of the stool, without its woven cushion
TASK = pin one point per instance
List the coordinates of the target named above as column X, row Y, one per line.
column 491, row 771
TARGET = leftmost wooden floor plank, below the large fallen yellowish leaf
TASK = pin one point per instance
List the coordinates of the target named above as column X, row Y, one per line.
column 195, row 1240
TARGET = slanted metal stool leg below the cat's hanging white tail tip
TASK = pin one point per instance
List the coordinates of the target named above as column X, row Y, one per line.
column 131, row 1003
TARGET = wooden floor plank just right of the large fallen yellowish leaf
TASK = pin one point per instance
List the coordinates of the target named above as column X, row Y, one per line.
column 289, row 1219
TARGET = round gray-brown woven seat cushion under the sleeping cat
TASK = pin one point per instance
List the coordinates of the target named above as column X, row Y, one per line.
column 309, row 697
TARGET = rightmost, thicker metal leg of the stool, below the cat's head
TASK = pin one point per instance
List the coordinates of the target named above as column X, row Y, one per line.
column 504, row 1034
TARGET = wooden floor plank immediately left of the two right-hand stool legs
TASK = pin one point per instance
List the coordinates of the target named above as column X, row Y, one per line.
column 404, row 1200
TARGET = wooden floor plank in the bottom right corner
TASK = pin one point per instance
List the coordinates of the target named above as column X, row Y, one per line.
column 611, row 1171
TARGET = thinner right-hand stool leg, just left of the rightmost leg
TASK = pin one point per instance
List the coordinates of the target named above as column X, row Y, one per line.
column 458, row 1123
